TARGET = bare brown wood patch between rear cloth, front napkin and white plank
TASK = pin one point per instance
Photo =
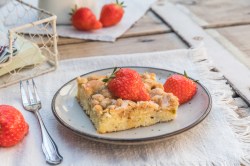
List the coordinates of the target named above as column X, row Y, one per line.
column 149, row 30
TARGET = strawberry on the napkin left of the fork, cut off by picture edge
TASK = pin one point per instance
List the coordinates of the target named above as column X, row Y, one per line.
column 13, row 127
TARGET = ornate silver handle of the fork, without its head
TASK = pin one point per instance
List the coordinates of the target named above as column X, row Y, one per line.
column 49, row 147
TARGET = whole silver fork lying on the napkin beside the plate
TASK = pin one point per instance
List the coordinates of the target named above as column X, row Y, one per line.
column 31, row 102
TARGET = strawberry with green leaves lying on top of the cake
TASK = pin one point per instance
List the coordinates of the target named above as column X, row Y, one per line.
column 127, row 84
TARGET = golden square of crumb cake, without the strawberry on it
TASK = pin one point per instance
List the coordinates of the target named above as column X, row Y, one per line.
column 110, row 114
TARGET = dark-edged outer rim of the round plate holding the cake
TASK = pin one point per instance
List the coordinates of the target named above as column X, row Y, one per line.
column 132, row 141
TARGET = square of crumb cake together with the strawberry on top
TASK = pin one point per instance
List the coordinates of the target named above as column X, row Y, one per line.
column 125, row 100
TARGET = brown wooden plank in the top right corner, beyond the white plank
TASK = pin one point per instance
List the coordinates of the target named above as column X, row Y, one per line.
column 214, row 13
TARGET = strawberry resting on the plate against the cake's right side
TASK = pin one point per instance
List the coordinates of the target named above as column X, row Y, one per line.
column 181, row 86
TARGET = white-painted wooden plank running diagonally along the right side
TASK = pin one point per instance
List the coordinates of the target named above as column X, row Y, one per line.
column 236, row 73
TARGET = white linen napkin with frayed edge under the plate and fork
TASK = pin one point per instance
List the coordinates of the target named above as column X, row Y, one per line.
column 221, row 139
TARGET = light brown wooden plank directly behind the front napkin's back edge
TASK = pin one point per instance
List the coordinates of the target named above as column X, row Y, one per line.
column 150, row 43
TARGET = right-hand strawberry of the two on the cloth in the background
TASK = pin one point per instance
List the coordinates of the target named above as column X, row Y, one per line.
column 111, row 14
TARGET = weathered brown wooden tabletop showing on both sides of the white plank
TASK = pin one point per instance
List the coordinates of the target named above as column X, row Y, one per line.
column 228, row 21
